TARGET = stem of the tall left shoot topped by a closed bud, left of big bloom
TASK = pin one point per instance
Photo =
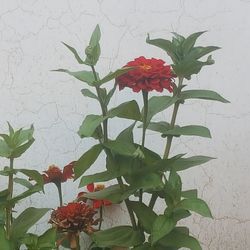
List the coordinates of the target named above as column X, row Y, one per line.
column 105, row 132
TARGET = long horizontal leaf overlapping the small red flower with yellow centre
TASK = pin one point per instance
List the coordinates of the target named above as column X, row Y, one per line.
column 114, row 193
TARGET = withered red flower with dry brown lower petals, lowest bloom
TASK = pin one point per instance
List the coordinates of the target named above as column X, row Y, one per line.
column 74, row 217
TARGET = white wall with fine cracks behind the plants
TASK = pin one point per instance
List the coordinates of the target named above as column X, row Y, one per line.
column 30, row 36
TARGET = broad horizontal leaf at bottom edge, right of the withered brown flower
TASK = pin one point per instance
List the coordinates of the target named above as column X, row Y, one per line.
column 123, row 236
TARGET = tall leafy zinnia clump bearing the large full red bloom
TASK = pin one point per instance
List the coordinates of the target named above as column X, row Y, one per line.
column 134, row 165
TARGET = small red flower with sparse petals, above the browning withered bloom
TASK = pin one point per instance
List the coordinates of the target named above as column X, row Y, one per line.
column 56, row 175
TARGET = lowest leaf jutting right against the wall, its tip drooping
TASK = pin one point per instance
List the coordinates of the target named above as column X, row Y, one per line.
column 196, row 205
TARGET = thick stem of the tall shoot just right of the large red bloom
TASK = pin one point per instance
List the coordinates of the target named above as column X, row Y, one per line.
column 170, row 137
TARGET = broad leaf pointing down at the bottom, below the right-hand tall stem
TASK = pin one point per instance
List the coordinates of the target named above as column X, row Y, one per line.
column 162, row 226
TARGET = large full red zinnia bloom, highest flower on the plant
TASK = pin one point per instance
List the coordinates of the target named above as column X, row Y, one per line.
column 147, row 75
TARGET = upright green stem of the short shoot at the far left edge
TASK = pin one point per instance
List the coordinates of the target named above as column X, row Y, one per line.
column 10, row 194
